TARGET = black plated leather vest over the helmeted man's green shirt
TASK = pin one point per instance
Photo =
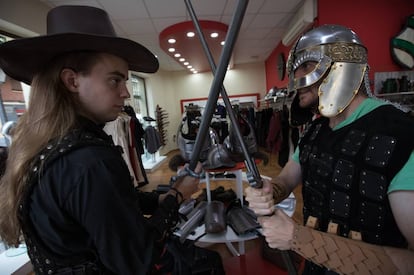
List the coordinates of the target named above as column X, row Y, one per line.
column 346, row 173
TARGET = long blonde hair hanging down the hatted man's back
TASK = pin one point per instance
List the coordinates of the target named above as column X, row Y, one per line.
column 52, row 112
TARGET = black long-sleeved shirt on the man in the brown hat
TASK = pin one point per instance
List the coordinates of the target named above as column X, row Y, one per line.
column 85, row 201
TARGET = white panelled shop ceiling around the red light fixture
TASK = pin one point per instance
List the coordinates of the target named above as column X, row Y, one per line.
column 263, row 25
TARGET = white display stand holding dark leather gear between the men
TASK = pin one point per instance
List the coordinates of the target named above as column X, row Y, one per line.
column 229, row 236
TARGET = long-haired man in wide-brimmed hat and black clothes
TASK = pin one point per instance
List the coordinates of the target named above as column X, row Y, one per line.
column 66, row 186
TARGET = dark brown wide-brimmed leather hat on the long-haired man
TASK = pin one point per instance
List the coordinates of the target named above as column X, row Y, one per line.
column 69, row 29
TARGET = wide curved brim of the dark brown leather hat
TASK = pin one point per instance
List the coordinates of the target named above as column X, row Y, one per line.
column 22, row 58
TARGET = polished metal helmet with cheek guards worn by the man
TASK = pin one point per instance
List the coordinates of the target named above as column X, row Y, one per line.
column 342, row 65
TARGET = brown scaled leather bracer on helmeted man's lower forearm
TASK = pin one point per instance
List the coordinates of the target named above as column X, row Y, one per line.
column 342, row 255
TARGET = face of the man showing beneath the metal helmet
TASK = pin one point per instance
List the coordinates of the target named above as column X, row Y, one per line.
column 308, row 96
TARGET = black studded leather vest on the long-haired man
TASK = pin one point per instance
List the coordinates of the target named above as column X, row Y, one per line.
column 42, row 259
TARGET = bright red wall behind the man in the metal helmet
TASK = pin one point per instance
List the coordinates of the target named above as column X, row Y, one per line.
column 375, row 22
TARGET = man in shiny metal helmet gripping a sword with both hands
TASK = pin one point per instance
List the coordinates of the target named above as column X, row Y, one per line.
column 355, row 163
